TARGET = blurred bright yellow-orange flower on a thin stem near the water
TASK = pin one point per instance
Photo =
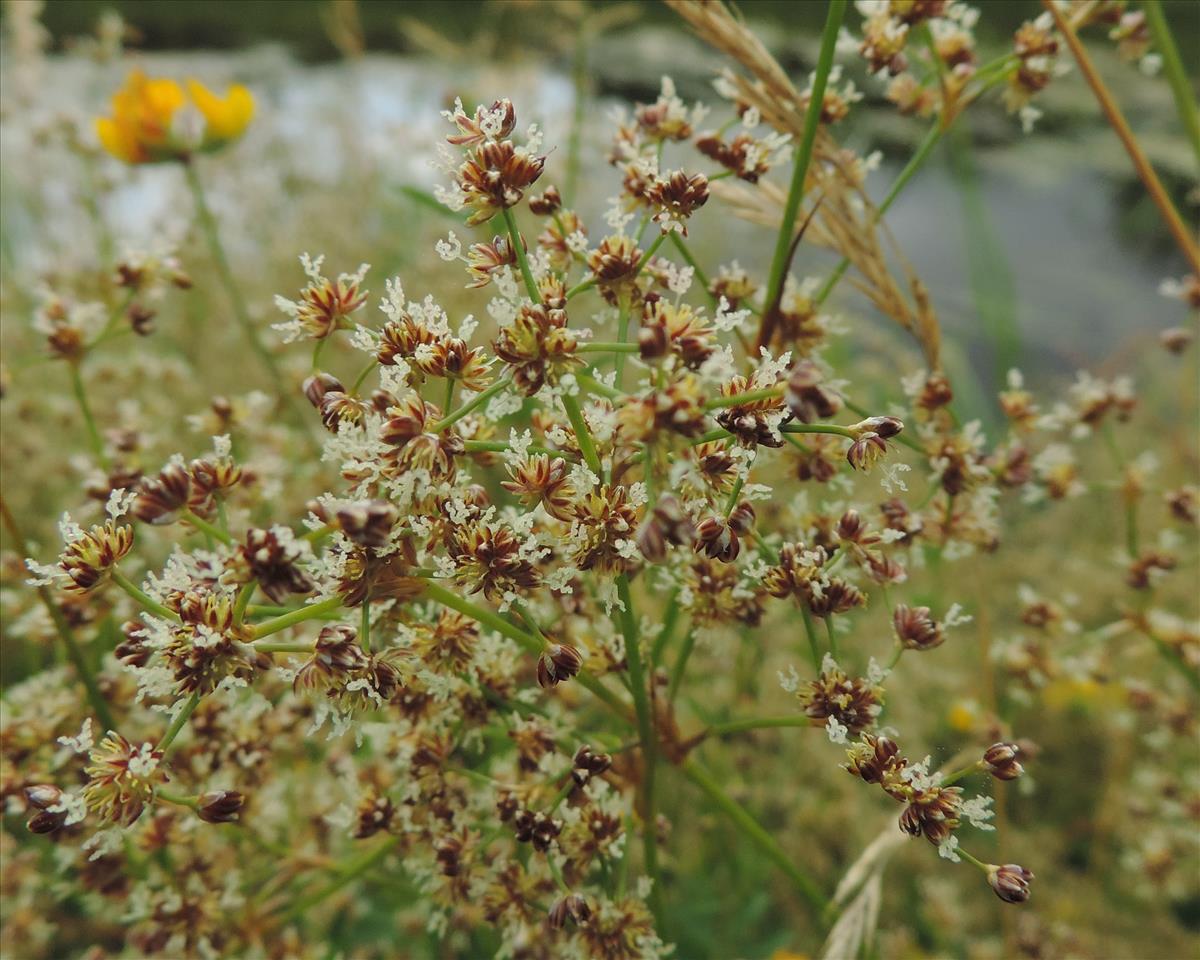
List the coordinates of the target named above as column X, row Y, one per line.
column 155, row 119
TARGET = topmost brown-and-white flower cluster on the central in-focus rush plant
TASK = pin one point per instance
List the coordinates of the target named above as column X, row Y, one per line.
column 495, row 173
